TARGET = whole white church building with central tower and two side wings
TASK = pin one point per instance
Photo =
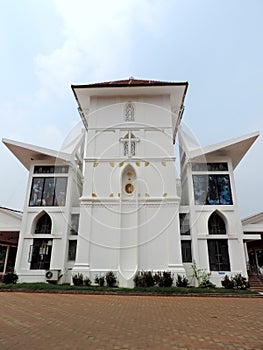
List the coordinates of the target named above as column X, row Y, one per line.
column 112, row 199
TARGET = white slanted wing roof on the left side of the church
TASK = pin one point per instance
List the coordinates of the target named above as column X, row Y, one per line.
column 26, row 153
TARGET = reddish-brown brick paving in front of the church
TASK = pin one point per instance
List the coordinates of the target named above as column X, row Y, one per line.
column 66, row 321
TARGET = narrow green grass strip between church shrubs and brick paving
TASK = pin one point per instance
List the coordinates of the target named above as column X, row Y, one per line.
column 31, row 287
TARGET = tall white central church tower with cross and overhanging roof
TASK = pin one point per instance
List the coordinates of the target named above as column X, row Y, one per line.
column 129, row 215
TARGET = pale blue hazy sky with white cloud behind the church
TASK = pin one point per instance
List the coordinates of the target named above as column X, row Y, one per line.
column 215, row 45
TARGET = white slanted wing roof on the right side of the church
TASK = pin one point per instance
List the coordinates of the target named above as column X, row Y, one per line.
column 234, row 148
